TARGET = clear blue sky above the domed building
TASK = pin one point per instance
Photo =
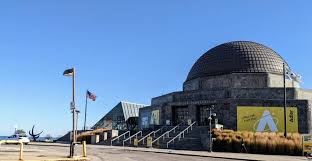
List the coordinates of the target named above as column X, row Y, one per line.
column 127, row 50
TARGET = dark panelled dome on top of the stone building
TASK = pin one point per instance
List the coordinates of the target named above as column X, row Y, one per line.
column 237, row 57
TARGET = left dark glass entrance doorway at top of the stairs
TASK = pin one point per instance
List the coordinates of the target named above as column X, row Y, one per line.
column 180, row 114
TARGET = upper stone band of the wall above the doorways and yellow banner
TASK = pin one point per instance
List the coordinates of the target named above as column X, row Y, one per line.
column 232, row 93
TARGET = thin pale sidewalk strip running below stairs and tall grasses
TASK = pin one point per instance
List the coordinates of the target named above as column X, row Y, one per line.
column 237, row 156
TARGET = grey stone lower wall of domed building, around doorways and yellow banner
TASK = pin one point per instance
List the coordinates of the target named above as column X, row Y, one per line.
column 226, row 102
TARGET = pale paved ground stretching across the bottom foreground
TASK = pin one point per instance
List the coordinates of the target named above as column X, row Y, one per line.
column 41, row 151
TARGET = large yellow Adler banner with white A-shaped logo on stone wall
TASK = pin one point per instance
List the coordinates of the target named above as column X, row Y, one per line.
column 266, row 119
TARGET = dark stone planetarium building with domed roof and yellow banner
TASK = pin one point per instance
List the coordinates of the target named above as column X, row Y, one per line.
column 244, row 83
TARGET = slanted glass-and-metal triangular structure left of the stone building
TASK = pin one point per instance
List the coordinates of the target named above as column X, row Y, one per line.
column 117, row 117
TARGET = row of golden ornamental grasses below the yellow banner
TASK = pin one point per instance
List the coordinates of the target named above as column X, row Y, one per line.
column 264, row 143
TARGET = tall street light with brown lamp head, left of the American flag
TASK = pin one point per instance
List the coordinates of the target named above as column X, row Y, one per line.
column 71, row 73
